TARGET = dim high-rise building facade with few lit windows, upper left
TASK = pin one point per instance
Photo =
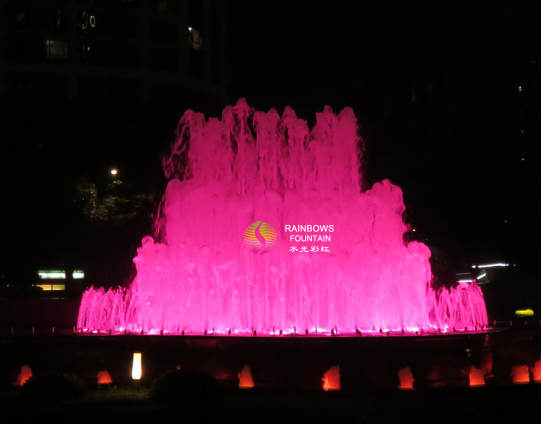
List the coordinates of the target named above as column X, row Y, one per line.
column 137, row 50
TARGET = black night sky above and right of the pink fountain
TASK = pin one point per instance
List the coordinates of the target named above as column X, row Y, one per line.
column 435, row 86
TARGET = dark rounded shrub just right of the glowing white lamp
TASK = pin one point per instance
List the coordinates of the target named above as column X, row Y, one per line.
column 184, row 387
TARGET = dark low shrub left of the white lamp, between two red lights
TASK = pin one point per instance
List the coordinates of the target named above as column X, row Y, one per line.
column 49, row 387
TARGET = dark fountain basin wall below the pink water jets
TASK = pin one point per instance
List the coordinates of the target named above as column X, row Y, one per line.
column 367, row 363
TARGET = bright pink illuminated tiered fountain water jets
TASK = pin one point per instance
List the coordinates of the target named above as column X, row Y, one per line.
column 196, row 275
